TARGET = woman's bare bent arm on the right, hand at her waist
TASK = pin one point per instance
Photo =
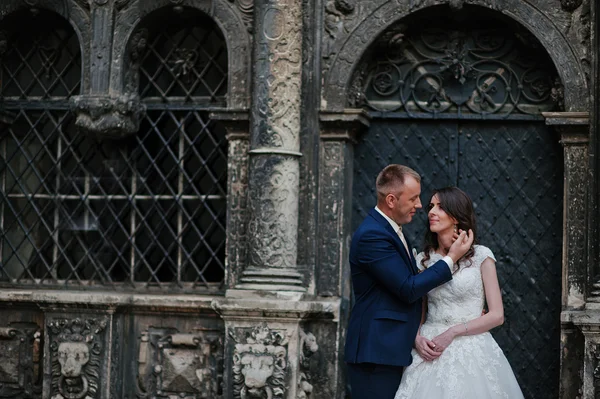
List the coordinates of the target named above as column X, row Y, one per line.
column 493, row 318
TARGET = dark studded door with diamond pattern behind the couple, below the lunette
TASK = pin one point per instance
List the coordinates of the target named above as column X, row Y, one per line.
column 513, row 173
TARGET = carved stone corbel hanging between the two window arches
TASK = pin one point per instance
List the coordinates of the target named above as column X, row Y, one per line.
column 108, row 116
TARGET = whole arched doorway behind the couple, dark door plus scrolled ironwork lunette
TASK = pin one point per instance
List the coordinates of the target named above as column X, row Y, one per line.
column 460, row 101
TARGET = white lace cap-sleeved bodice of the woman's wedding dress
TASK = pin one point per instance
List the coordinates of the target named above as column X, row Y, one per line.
column 462, row 298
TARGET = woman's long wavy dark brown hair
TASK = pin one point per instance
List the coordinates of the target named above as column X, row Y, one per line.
column 457, row 204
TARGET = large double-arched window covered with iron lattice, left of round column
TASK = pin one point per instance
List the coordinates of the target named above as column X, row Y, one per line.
column 143, row 212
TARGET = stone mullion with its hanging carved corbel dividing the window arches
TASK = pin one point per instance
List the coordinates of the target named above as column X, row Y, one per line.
column 106, row 111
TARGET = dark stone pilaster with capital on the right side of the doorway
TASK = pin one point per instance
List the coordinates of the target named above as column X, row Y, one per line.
column 574, row 136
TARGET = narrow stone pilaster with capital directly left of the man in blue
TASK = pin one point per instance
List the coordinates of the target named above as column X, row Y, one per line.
column 338, row 133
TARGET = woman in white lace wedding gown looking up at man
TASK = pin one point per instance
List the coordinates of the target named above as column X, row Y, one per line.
column 455, row 356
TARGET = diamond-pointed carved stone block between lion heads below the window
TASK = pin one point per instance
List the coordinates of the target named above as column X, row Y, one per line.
column 186, row 366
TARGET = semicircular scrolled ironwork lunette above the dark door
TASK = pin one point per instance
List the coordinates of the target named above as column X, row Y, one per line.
column 457, row 67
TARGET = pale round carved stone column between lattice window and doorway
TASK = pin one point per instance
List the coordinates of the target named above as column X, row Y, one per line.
column 274, row 149
